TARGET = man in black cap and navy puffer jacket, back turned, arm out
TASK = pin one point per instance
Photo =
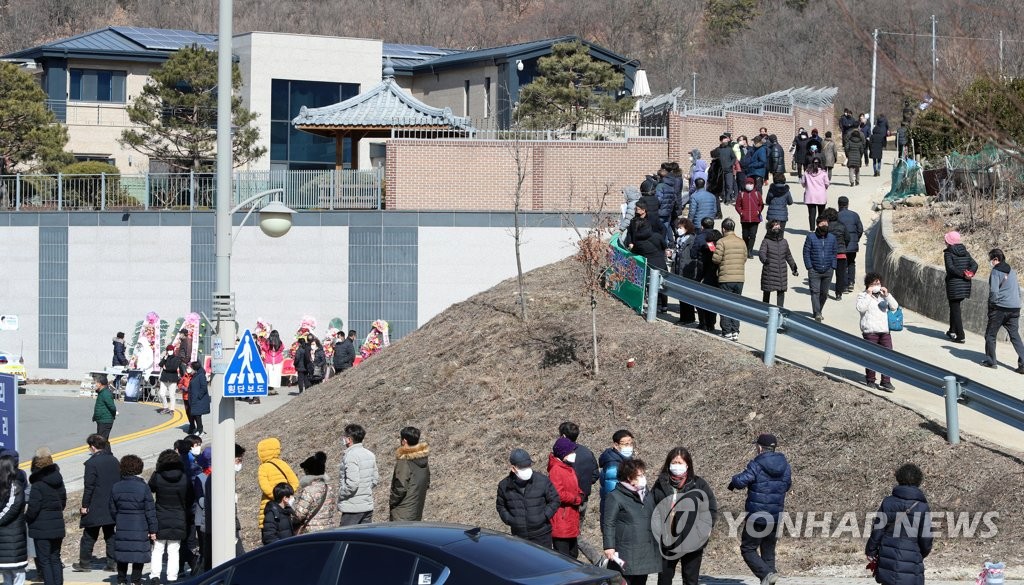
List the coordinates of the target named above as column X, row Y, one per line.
column 767, row 479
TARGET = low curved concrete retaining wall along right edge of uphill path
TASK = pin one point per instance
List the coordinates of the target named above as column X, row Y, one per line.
column 921, row 287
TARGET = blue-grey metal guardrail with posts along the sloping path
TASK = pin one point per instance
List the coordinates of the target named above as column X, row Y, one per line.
column 955, row 388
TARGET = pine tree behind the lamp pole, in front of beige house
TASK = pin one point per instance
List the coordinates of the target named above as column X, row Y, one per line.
column 178, row 112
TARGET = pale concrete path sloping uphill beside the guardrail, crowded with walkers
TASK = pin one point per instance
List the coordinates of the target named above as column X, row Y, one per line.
column 922, row 339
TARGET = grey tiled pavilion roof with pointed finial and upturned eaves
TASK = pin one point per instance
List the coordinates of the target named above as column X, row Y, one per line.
column 386, row 106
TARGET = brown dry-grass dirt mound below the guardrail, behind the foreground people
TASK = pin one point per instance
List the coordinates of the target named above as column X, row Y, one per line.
column 479, row 384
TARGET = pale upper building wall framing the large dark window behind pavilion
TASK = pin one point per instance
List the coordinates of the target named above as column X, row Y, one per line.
column 266, row 57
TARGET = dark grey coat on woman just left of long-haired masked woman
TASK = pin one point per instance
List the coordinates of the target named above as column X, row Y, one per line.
column 626, row 528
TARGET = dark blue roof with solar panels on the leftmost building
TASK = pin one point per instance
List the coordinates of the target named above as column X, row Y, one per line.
column 151, row 45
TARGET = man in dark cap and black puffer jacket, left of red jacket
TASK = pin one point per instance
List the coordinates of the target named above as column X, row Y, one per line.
column 527, row 502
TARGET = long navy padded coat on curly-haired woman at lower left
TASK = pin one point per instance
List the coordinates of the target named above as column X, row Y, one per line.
column 136, row 519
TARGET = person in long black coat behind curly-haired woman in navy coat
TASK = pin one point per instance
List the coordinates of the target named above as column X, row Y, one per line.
column 102, row 472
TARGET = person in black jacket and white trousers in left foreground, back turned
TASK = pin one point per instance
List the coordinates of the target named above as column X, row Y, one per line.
column 169, row 485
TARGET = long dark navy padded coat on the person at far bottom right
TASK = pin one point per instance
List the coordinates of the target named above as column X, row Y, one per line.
column 902, row 558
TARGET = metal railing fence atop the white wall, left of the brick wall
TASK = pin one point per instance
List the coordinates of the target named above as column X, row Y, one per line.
column 190, row 192
